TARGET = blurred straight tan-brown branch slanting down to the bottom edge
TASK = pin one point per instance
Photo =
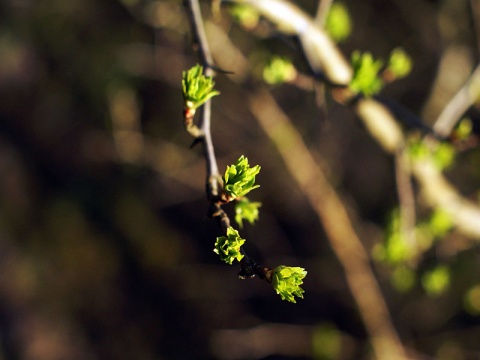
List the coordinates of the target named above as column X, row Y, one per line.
column 333, row 215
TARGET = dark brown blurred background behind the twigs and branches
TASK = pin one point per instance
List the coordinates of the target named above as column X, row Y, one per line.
column 105, row 252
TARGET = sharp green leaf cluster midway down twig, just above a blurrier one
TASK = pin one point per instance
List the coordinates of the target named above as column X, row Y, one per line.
column 239, row 178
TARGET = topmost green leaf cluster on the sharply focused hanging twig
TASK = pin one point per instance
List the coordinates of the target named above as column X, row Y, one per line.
column 197, row 88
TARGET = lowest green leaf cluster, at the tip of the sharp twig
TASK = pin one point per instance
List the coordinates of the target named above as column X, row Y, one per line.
column 286, row 281
